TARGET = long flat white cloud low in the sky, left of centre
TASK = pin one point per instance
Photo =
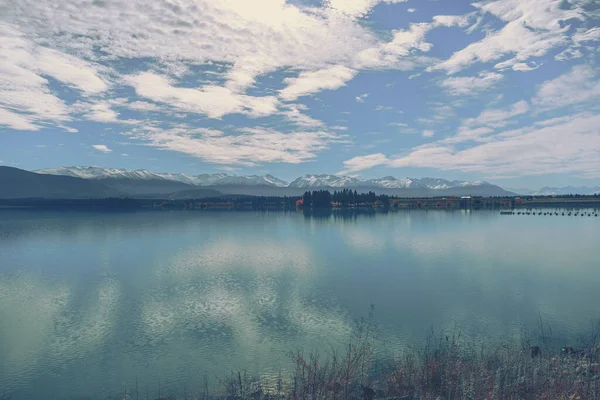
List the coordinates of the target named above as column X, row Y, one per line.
column 246, row 146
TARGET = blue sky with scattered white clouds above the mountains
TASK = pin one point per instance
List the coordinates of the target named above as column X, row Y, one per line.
column 505, row 91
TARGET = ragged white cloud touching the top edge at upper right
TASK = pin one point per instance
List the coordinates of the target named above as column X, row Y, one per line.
column 532, row 28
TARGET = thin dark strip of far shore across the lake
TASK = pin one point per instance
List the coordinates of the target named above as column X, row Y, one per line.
column 257, row 203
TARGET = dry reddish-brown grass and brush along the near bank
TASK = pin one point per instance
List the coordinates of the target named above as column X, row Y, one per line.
column 444, row 367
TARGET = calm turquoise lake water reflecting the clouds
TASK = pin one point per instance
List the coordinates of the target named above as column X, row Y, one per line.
column 91, row 302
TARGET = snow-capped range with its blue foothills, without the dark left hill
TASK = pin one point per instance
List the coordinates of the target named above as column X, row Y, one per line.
column 145, row 183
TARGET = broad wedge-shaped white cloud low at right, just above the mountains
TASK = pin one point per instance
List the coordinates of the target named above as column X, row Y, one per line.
column 571, row 146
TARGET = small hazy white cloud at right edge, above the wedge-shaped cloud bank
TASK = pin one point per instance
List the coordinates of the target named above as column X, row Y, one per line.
column 579, row 85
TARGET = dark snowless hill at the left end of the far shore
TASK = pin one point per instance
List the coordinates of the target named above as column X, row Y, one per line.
column 17, row 184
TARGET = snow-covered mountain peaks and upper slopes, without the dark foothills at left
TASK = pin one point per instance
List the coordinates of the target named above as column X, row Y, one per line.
column 388, row 184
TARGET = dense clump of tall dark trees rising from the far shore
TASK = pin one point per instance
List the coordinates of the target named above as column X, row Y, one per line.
column 344, row 197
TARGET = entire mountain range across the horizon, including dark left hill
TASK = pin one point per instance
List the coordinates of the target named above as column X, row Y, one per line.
column 86, row 182
